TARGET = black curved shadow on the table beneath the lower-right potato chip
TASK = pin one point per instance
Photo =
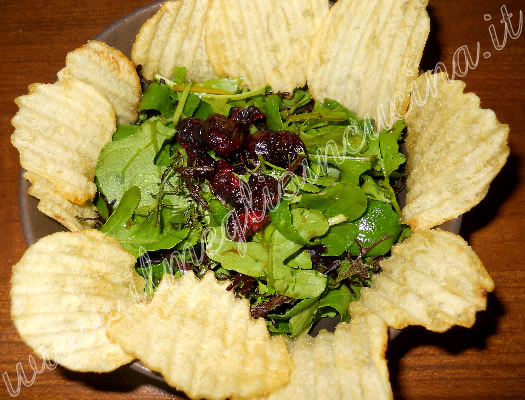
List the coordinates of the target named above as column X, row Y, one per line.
column 455, row 340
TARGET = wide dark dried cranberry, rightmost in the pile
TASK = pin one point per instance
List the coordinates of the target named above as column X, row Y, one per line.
column 279, row 148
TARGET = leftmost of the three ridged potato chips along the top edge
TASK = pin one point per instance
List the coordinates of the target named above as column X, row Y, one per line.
column 174, row 37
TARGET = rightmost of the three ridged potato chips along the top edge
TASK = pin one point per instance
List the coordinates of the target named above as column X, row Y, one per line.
column 366, row 54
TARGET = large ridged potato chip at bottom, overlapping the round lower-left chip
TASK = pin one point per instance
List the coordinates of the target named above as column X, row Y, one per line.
column 203, row 341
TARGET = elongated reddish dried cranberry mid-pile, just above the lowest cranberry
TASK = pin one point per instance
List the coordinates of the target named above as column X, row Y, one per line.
column 226, row 186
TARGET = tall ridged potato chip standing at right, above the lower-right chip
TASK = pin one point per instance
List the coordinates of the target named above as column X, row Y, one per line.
column 455, row 149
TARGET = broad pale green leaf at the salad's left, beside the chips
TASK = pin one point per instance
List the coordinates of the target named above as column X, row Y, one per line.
column 130, row 162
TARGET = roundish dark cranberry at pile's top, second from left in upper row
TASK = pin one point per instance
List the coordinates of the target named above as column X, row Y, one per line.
column 223, row 135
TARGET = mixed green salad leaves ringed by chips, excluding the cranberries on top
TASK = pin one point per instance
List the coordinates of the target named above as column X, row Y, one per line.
column 337, row 216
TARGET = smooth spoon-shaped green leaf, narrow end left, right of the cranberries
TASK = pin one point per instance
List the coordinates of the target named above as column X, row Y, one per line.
column 342, row 198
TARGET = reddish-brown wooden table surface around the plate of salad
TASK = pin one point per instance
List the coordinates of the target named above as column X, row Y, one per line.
column 485, row 362
